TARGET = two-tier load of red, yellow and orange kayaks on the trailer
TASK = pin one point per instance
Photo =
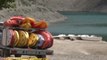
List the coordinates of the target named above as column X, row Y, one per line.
column 38, row 38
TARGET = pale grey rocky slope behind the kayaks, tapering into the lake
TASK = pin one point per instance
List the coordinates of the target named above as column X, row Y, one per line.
column 28, row 8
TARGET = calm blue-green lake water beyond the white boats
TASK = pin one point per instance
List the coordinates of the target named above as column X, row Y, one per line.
column 81, row 23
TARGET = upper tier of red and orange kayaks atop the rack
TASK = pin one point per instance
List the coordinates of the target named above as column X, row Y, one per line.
column 26, row 22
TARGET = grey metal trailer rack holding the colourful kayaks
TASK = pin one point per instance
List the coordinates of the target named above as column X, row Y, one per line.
column 8, row 51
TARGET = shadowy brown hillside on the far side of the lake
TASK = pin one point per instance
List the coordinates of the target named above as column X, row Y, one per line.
column 77, row 5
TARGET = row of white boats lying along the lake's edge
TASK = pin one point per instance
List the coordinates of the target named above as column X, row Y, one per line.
column 78, row 37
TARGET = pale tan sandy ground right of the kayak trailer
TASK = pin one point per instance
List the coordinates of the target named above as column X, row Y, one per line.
column 79, row 50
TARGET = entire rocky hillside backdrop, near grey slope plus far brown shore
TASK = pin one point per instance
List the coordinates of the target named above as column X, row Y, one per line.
column 47, row 9
